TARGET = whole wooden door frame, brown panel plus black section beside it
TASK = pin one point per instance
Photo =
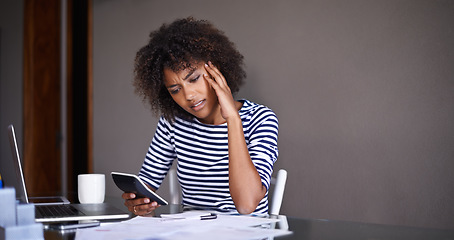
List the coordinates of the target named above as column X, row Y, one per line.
column 42, row 105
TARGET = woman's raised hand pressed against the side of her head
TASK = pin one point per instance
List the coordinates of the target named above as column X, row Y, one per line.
column 222, row 89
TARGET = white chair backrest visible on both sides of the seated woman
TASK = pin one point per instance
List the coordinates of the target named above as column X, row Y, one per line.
column 276, row 197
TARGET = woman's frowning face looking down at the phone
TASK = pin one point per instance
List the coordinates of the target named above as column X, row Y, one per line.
column 193, row 93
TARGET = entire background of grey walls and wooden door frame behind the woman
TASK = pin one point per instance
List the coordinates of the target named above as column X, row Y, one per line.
column 364, row 93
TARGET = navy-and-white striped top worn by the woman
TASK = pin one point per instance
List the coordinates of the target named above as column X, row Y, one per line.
column 202, row 153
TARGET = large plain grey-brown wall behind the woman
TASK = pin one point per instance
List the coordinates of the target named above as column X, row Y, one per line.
column 364, row 91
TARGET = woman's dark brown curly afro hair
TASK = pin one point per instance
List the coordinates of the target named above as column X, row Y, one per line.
column 177, row 46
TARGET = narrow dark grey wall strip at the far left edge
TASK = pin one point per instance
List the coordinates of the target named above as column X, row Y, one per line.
column 11, row 94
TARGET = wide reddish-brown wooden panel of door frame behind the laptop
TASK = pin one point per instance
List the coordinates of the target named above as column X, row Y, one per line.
column 41, row 97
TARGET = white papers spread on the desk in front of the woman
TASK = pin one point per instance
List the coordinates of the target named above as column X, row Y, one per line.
column 187, row 225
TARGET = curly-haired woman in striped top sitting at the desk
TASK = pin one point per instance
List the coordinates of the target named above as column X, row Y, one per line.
column 225, row 148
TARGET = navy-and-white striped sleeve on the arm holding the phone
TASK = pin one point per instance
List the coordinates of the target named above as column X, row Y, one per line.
column 160, row 155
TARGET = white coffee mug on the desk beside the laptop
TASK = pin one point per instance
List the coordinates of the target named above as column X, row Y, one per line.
column 91, row 188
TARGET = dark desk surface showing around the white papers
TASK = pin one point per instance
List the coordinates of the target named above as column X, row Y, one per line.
column 321, row 229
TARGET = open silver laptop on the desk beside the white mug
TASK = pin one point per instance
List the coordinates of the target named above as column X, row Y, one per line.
column 57, row 208
